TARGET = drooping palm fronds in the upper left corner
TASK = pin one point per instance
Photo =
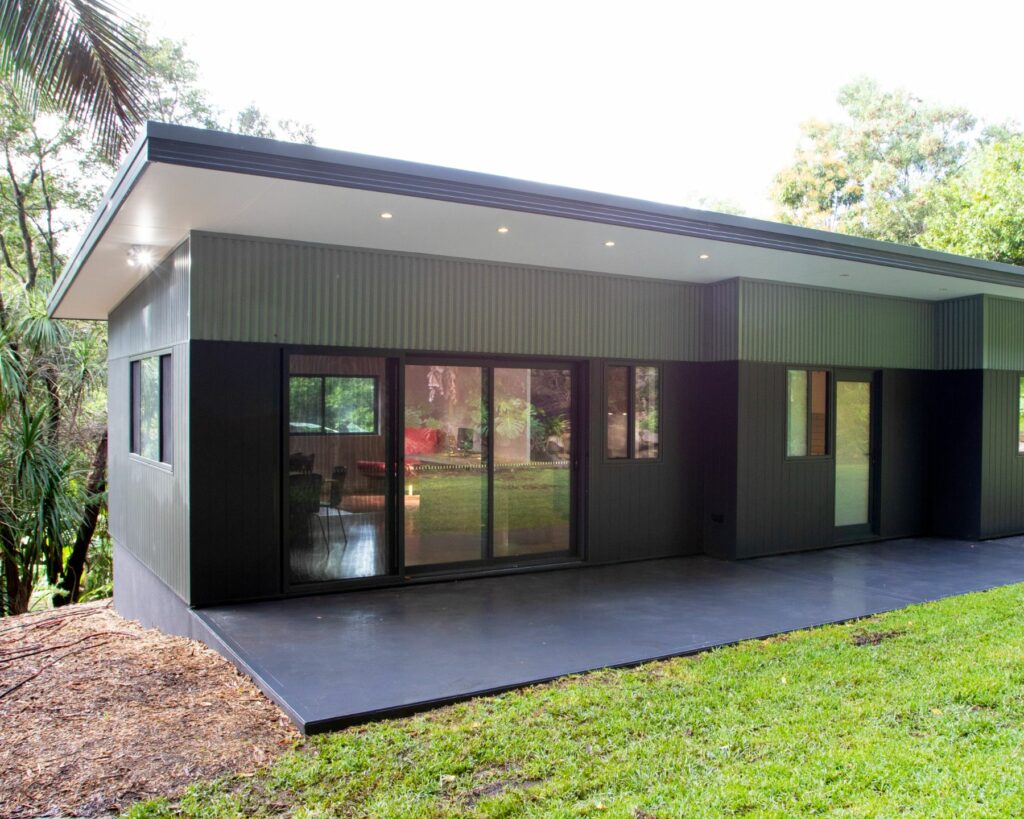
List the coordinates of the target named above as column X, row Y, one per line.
column 82, row 58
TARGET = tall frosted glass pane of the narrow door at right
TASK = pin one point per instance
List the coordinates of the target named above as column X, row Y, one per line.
column 854, row 453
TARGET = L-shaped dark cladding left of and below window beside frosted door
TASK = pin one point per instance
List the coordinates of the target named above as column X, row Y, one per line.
column 786, row 504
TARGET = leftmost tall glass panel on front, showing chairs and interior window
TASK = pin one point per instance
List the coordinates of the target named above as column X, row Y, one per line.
column 337, row 493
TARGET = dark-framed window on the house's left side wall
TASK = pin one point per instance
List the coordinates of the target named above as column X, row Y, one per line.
column 152, row 393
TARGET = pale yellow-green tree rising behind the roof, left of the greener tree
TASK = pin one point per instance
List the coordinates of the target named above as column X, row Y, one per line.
column 874, row 174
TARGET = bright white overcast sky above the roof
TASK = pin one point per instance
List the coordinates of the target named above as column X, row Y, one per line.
column 669, row 102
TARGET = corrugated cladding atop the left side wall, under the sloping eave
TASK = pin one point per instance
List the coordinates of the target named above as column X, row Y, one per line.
column 156, row 314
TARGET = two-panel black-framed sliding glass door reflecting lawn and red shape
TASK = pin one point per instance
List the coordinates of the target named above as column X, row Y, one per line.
column 488, row 470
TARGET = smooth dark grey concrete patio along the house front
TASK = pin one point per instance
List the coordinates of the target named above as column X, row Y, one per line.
column 335, row 660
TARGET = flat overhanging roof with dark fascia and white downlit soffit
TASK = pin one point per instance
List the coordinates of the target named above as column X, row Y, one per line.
column 178, row 180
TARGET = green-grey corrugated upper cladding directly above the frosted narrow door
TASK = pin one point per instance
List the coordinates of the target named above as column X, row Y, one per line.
column 814, row 326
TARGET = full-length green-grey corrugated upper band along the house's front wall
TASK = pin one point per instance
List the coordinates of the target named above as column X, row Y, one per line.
column 263, row 290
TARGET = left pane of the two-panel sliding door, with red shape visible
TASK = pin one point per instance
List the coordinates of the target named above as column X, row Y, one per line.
column 446, row 453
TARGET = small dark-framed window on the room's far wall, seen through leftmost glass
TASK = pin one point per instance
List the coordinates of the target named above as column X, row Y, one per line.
column 333, row 405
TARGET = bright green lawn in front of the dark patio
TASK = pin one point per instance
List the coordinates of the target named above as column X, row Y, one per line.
column 919, row 713
